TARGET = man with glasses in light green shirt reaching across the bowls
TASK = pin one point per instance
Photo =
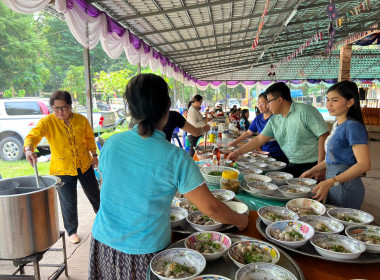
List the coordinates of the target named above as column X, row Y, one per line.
column 298, row 128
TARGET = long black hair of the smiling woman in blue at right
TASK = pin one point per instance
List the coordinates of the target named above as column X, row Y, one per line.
column 349, row 90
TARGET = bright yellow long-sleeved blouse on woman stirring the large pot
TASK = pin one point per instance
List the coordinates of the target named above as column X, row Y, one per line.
column 70, row 145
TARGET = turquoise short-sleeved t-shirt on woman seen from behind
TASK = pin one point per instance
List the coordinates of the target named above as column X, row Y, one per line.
column 140, row 178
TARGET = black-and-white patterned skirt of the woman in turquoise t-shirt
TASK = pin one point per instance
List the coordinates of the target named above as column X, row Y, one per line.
column 106, row 263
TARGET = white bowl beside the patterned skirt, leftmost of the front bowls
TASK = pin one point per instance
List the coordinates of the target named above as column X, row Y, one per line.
column 183, row 256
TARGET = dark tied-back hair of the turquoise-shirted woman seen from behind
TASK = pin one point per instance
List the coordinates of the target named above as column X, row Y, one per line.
column 149, row 101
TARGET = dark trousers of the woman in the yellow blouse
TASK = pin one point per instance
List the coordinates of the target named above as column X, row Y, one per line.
column 68, row 197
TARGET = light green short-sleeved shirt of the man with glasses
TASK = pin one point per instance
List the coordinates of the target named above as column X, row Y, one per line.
column 298, row 133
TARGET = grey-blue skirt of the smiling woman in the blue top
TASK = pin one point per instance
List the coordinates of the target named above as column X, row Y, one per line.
column 349, row 194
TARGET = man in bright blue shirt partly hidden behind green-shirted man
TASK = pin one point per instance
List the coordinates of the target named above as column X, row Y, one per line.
column 258, row 125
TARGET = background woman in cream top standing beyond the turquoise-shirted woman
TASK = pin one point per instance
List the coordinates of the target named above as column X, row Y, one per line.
column 195, row 118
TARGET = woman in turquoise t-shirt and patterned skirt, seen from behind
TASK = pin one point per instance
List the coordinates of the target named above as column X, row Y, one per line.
column 141, row 173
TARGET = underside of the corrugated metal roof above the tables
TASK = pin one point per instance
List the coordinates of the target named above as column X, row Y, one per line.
column 212, row 39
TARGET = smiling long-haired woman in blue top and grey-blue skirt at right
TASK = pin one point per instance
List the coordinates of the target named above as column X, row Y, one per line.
column 347, row 151
